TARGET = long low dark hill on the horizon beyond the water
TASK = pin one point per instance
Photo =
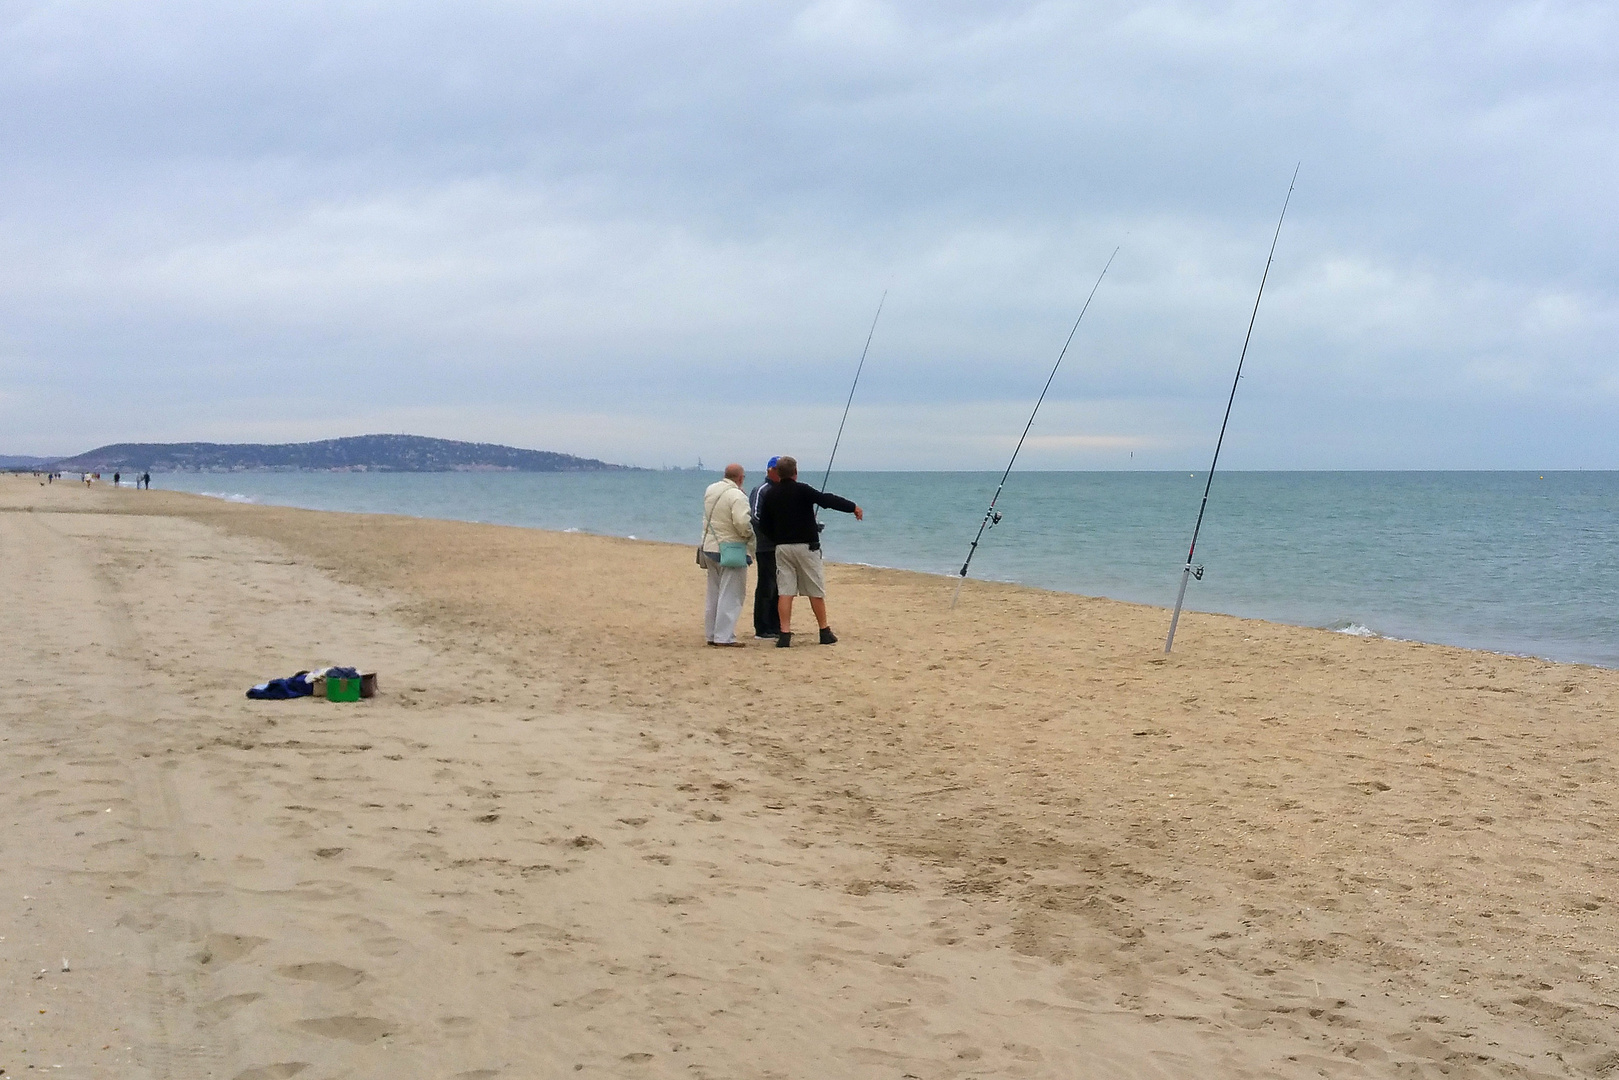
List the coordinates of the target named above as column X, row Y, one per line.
column 359, row 454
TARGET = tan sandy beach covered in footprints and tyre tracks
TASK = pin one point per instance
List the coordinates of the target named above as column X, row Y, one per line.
column 571, row 841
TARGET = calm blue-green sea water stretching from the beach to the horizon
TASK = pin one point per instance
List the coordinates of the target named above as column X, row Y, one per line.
column 1513, row 563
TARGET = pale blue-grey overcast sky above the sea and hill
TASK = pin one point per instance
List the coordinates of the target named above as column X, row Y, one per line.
column 650, row 232
